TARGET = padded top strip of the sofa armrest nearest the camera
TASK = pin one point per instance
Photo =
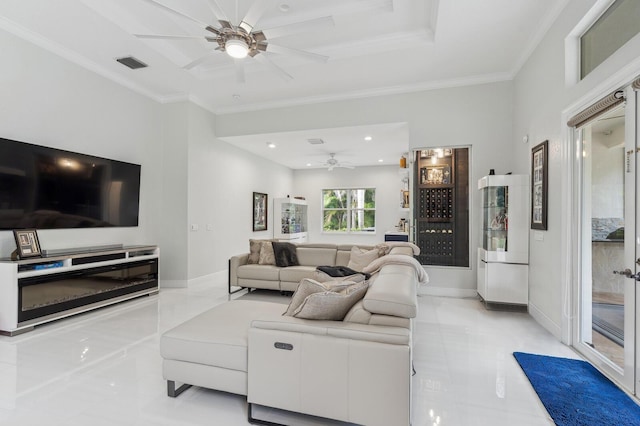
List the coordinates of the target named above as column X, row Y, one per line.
column 337, row 329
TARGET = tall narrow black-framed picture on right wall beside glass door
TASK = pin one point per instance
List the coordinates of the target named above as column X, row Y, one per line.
column 539, row 185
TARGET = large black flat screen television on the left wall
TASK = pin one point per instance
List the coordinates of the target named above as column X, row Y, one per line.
column 47, row 188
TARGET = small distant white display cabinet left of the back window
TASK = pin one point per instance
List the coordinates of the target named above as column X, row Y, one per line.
column 290, row 220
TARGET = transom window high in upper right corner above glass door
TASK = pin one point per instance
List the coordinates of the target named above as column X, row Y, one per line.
column 619, row 24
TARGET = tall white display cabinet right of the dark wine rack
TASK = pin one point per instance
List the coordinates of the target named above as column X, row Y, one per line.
column 503, row 256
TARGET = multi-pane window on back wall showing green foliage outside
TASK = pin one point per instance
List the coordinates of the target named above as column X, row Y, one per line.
column 349, row 210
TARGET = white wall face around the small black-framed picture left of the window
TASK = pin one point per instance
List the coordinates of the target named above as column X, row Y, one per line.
column 222, row 179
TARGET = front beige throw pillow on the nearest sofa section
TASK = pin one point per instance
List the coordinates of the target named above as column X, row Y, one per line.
column 333, row 304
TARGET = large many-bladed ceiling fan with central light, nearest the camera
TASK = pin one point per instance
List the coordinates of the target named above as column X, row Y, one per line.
column 244, row 40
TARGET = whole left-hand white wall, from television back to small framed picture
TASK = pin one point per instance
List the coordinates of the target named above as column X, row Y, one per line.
column 188, row 176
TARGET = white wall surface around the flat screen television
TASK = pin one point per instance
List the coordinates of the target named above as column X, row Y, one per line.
column 49, row 101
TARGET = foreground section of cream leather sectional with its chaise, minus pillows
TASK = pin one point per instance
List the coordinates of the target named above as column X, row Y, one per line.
column 357, row 369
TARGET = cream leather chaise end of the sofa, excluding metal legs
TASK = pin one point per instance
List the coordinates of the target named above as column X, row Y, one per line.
column 217, row 337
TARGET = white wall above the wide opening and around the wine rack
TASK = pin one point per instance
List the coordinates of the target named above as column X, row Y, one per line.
column 478, row 116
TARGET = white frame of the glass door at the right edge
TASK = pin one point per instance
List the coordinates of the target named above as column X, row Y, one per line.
column 573, row 300
